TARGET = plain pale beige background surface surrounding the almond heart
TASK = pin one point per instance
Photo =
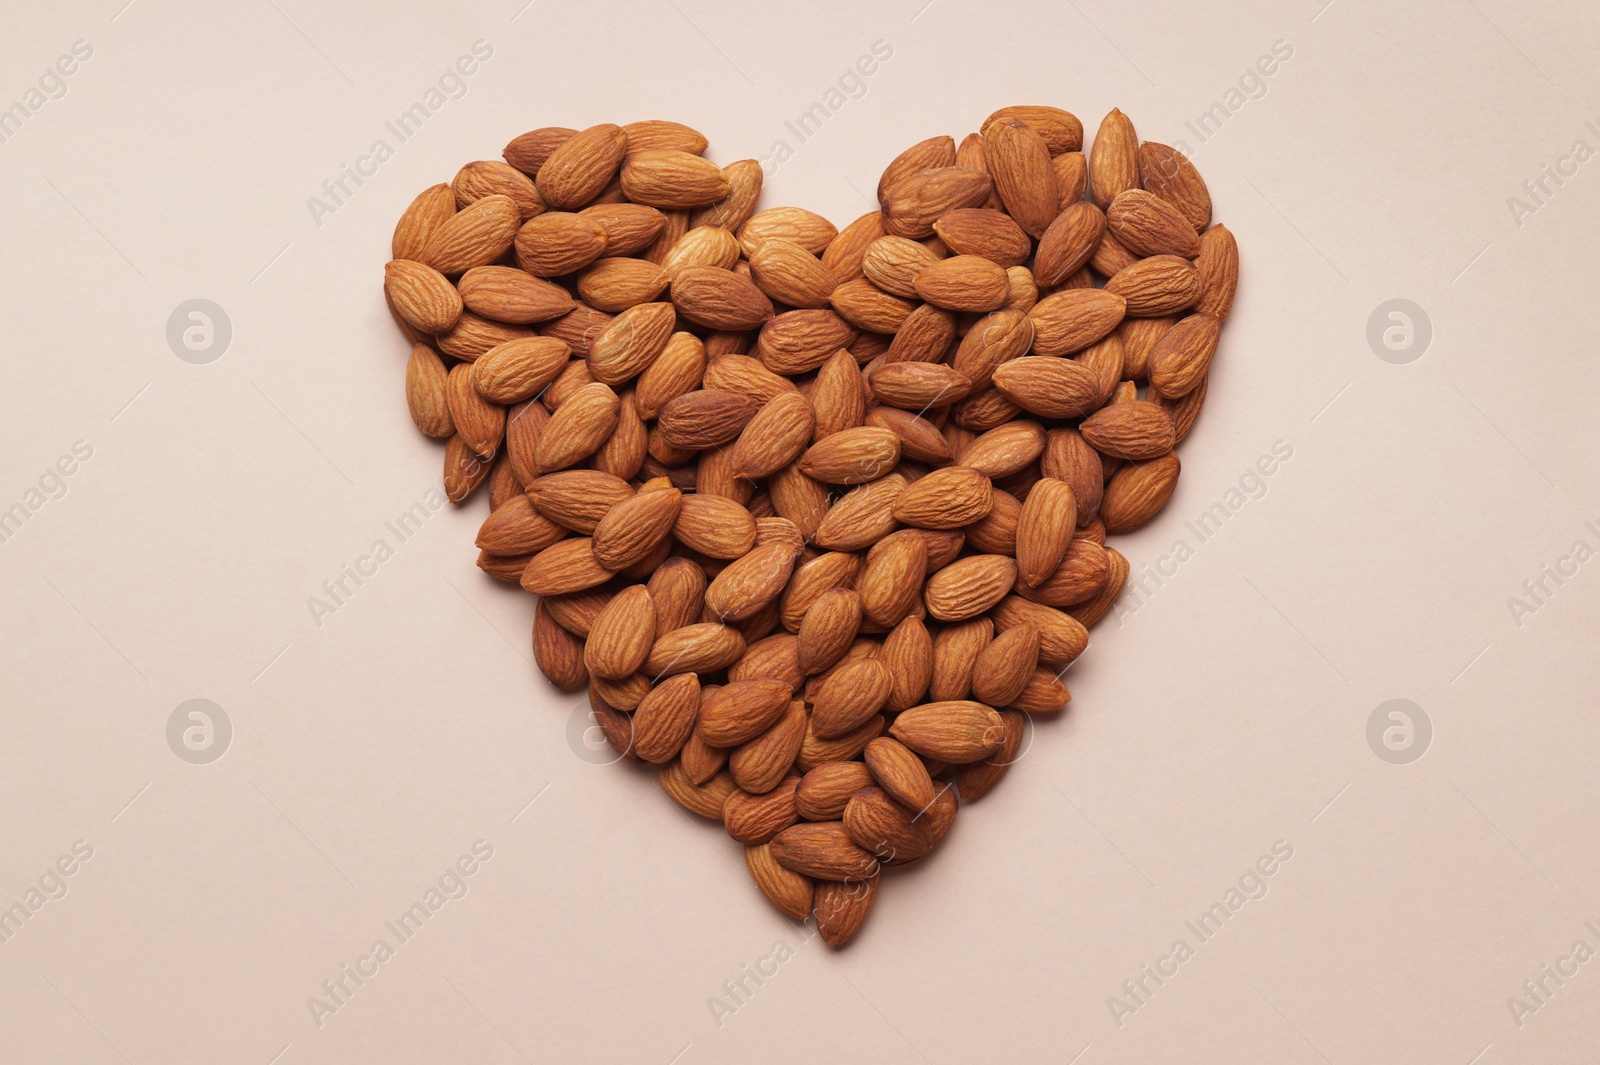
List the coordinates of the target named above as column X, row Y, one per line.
column 1225, row 714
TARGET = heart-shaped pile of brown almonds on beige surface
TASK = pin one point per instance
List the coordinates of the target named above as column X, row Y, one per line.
column 817, row 516
